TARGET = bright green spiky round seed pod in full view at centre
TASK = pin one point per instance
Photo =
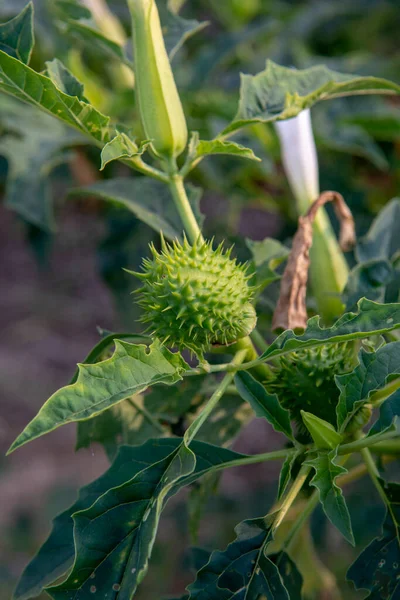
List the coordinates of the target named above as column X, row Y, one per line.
column 194, row 296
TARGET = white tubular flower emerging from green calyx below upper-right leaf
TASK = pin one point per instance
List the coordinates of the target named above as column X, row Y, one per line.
column 299, row 157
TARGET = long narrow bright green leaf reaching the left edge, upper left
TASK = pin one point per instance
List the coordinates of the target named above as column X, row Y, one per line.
column 22, row 82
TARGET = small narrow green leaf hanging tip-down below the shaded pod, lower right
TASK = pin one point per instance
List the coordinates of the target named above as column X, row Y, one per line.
column 330, row 494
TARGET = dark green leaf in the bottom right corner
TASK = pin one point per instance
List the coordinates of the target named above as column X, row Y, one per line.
column 377, row 567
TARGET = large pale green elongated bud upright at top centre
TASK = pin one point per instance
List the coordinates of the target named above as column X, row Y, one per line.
column 160, row 107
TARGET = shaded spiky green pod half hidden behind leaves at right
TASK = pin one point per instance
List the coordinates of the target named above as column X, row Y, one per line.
column 305, row 380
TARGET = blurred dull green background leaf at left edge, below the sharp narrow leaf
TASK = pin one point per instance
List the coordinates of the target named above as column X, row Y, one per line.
column 33, row 146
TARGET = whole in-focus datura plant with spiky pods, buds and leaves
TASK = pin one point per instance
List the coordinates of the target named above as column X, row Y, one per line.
column 328, row 384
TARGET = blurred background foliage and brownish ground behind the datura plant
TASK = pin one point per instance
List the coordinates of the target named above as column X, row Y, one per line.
column 63, row 252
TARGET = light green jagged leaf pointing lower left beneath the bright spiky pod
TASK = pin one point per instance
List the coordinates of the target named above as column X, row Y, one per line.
column 130, row 370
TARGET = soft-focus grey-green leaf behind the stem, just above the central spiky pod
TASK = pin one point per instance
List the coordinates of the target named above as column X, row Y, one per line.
column 149, row 200
